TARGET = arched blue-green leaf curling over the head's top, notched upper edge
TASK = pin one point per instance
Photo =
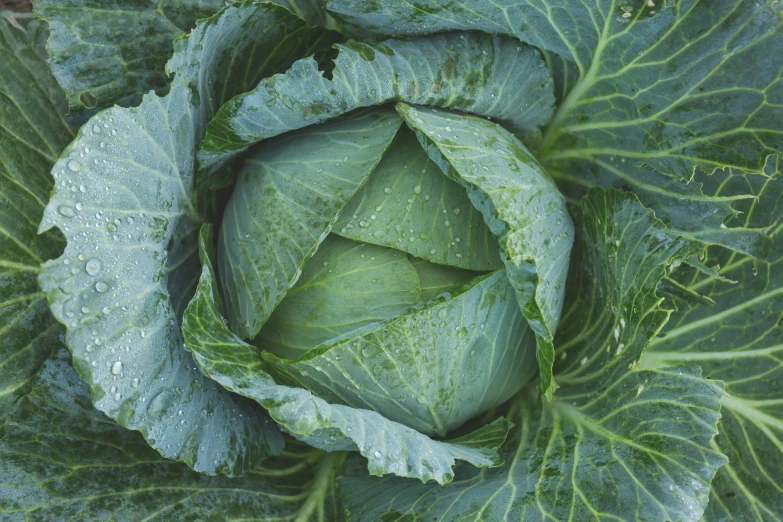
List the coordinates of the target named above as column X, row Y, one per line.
column 470, row 72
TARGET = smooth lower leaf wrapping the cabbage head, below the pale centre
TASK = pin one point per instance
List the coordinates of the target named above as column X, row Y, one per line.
column 432, row 368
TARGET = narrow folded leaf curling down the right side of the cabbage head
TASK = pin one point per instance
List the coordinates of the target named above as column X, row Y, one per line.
column 520, row 204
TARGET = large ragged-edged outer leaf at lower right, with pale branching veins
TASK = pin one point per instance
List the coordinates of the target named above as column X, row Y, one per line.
column 615, row 443
